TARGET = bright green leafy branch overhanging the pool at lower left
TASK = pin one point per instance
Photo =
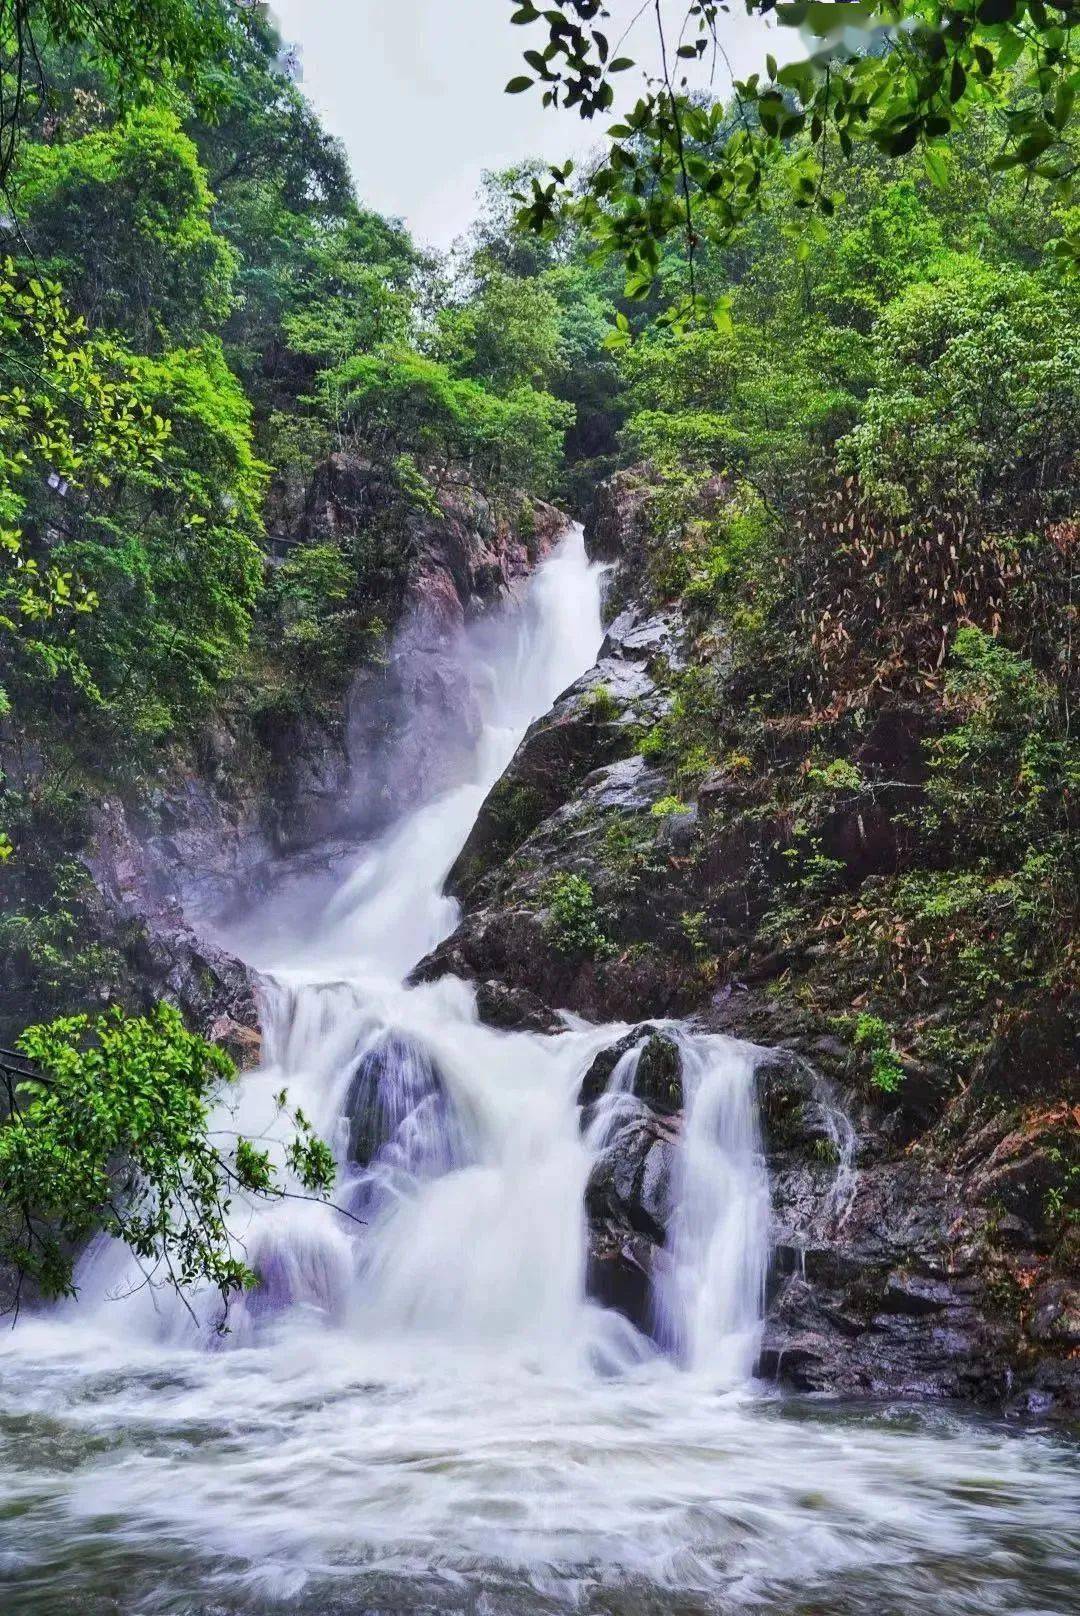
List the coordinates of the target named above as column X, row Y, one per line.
column 114, row 1134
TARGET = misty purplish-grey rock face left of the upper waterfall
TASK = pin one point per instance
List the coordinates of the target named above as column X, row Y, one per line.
column 171, row 862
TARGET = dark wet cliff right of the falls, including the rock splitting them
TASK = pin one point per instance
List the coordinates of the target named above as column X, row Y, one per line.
column 922, row 1242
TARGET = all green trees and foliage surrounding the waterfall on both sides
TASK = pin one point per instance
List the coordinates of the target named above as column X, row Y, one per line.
column 835, row 318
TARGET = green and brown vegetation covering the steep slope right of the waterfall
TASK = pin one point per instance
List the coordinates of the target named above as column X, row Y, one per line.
column 864, row 497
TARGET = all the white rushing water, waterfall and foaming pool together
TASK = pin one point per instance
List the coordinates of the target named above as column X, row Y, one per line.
column 421, row 1412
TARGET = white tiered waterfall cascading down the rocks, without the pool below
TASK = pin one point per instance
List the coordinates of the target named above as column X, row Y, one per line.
column 460, row 1147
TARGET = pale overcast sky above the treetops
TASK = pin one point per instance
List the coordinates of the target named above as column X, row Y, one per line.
column 415, row 88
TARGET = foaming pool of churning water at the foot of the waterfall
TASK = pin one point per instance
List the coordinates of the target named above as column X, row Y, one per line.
column 329, row 1475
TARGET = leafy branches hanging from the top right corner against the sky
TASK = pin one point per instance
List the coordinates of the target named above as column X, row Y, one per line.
column 896, row 74
